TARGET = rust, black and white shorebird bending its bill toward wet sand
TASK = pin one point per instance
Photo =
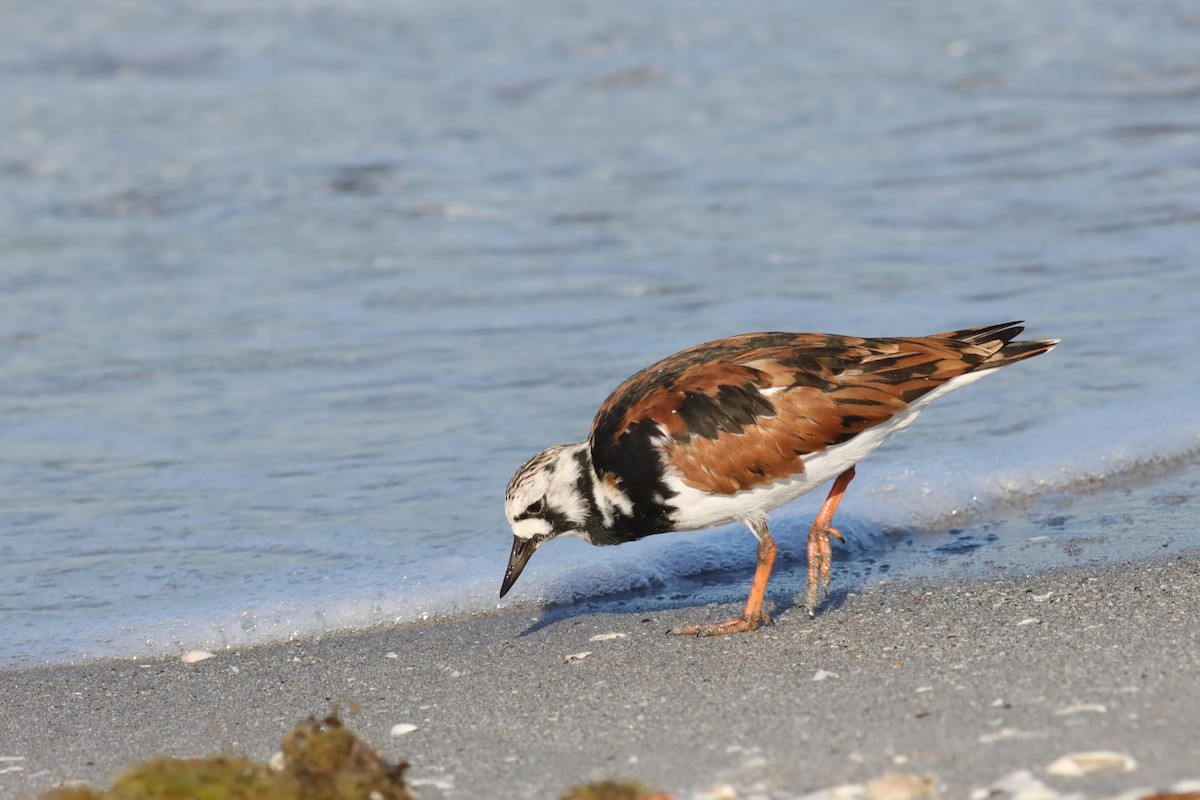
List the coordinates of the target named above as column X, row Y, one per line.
column 731, row 430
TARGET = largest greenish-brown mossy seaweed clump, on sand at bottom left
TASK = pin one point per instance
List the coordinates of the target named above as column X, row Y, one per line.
column 322, row 761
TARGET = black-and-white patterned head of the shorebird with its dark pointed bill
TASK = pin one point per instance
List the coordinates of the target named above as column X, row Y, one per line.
column 551, row 496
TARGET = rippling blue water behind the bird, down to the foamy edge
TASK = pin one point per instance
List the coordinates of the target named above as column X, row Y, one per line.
column 290, row 290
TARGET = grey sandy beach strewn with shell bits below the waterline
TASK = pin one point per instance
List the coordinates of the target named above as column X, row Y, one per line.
column 964, row 684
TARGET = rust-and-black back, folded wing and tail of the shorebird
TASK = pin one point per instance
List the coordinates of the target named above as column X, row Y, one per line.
column 728, row 431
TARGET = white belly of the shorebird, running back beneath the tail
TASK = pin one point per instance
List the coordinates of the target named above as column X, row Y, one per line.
column 698, row 509
